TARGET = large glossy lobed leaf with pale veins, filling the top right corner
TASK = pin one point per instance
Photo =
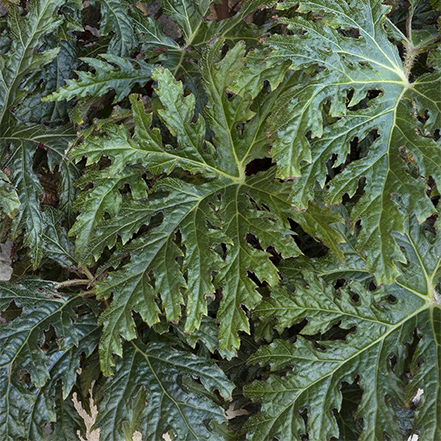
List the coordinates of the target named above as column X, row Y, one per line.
column 351, row 65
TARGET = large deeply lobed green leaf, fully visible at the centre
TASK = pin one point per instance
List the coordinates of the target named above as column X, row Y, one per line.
column 226, row 208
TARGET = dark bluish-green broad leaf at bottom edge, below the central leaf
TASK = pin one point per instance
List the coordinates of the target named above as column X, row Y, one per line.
column 154, row 390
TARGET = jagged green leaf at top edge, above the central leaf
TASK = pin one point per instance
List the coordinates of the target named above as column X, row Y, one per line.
column 158, row 47
